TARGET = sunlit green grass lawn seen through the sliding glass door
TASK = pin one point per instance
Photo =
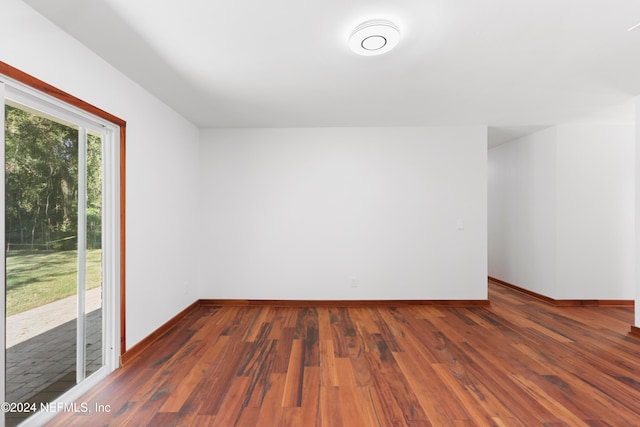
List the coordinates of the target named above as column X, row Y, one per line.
column 35, row 279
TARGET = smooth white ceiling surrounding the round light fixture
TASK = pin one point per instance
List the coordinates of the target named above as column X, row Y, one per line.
column 515, row 65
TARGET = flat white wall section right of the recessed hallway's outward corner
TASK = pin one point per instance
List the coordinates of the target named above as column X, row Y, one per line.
column 595, row 211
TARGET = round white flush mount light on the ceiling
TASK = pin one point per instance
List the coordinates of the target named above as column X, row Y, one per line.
column 374, row 37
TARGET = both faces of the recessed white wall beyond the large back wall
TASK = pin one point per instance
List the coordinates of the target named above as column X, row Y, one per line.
column 566, row 229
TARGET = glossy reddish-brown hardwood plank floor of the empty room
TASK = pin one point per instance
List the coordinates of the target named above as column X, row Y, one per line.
column 519, row 362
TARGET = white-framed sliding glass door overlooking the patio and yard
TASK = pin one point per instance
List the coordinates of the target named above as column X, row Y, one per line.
column 57, row 185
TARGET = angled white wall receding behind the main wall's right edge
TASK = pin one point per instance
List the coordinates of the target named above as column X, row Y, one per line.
column 521, row 211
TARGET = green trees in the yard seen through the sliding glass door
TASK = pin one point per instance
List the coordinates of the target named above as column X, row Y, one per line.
column 41, row 181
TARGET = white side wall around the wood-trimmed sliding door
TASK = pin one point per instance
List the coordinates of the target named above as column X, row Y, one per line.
column 162, row 152
